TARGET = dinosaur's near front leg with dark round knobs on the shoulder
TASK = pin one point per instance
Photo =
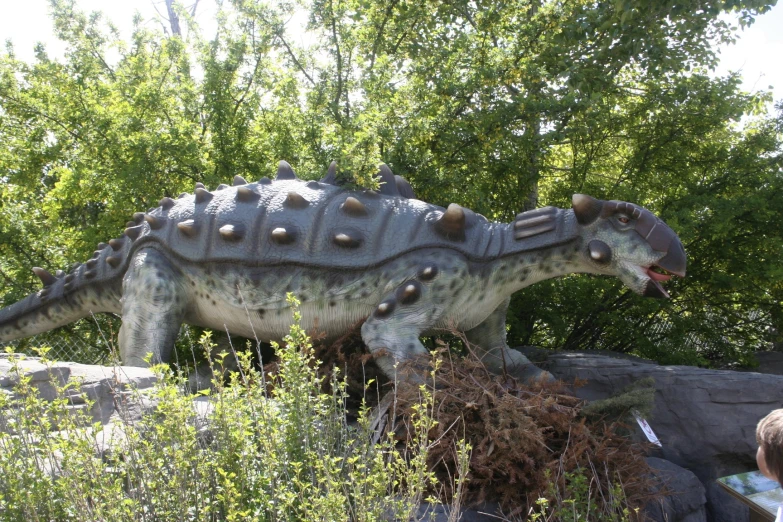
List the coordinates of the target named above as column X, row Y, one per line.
column 393, row 330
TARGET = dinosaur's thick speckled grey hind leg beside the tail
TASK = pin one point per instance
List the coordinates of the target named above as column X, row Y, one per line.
column 153, row 307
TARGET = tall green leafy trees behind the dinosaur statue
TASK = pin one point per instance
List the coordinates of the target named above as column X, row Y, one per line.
column 499, row 106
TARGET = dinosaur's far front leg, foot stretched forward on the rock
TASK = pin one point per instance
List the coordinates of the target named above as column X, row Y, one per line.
column 489, row 338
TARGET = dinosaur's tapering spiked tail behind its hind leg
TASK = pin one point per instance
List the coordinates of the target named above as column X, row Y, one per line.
column 63, row 300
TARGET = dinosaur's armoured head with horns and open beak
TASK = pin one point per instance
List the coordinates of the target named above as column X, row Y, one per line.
column 630, row 242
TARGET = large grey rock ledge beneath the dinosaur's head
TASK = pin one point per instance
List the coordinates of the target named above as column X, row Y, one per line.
column 705, row 419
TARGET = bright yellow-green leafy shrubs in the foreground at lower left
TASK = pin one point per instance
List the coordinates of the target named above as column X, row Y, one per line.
column 244, row 454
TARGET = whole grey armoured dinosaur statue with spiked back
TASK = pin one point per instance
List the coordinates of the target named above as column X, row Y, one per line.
column 226, row 259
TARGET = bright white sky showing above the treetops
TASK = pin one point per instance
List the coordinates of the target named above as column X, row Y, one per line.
column 757, row 54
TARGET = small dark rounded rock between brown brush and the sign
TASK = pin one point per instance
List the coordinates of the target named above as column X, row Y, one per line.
column 685, row 500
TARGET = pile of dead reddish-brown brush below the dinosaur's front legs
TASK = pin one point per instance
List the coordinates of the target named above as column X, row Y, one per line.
column 530, row 442
